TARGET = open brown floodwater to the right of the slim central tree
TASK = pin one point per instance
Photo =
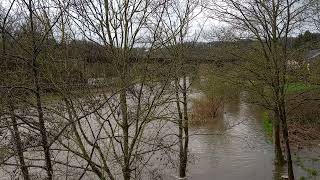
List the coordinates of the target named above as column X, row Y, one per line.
column 234, row 146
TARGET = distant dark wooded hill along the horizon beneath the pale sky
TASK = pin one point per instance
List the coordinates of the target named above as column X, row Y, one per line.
column 85, row 52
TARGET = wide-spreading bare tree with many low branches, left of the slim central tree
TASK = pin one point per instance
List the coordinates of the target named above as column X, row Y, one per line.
column 120, row 27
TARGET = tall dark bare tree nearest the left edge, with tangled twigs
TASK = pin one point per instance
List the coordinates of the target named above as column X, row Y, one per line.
column 28, row 50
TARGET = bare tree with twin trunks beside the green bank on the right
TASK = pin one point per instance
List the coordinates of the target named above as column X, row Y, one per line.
column 269, row 23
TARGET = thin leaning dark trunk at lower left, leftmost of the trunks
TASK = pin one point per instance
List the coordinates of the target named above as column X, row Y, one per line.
column 18, row 144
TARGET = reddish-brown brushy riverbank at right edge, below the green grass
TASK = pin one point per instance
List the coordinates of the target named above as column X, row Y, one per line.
column 304, row 118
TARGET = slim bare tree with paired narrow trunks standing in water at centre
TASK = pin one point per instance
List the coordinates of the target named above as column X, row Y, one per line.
column 179, row 15
